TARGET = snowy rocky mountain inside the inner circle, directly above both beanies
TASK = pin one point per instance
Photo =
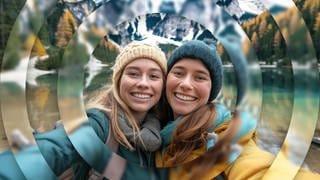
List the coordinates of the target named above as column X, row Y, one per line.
column 172, row 27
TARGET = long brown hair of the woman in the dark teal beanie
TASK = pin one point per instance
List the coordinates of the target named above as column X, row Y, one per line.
column 191, row 134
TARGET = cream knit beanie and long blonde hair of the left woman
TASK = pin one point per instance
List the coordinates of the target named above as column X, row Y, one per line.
column 110, row 100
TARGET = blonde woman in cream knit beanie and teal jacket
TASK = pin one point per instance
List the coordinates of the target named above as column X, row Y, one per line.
column 126, row 117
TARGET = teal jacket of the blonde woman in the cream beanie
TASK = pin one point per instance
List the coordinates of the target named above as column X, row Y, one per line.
column 83, row 149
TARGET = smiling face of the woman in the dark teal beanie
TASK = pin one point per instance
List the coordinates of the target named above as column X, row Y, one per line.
column 188, row 86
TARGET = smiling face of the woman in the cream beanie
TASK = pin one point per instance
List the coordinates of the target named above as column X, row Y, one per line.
column 141, row 85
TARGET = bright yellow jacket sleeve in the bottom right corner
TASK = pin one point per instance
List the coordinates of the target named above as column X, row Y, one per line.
column 254, row 163
